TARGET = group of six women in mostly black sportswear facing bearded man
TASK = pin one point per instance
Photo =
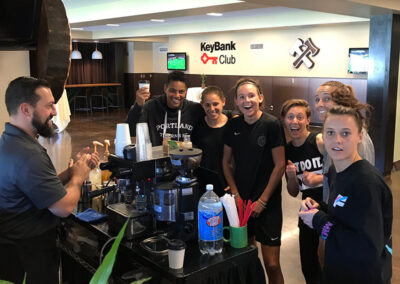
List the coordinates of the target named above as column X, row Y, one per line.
column 346, row 211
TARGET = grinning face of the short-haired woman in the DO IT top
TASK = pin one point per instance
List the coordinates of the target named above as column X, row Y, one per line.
column 296, row 122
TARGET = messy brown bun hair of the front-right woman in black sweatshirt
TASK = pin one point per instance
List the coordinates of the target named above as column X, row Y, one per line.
column 344, row 95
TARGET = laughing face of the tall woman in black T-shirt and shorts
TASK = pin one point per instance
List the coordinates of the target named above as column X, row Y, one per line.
column 248, row 100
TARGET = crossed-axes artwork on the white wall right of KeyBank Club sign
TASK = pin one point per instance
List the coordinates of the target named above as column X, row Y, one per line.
column 303, row 50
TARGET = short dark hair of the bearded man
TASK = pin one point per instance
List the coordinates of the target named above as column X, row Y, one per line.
column 23, row 90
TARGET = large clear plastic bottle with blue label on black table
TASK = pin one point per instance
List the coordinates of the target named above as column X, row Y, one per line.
column 210, row 222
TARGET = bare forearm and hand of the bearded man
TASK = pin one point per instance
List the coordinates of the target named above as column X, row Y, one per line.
column 79, row 172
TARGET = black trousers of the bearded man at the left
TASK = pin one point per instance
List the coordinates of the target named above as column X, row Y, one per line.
column 38, row 257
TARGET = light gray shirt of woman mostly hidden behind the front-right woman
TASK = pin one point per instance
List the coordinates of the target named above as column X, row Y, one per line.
column 365, row 149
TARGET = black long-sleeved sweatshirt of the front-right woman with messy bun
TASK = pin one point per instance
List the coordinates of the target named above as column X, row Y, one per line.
column 357, row 226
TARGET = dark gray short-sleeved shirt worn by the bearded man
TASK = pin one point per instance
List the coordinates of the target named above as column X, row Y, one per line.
column 29, row 185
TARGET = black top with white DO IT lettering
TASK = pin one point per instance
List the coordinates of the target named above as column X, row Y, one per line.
column 306, row 158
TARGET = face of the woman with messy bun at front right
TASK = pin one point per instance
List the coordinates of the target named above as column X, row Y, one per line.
column 341, row 136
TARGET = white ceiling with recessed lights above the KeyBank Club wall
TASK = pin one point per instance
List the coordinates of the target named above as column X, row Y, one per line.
column 89, row 18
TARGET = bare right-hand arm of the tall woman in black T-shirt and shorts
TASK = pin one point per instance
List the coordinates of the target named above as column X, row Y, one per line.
column 278, row 156
